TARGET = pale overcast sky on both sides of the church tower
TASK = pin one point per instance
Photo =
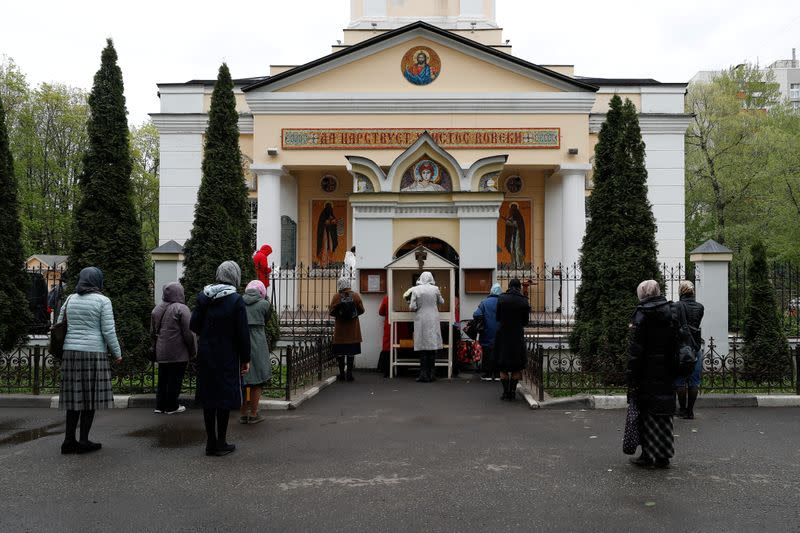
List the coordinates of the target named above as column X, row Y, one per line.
column 177, row 40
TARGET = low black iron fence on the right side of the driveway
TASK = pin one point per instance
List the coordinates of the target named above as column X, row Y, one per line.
column 556, row 371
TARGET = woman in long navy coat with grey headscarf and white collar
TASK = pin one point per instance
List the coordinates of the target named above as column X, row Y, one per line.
column 223, row 353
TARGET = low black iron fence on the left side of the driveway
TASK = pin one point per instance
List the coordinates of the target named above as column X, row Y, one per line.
column 31, row 370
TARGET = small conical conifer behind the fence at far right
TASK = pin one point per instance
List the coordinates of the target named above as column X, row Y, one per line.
column 766, row 351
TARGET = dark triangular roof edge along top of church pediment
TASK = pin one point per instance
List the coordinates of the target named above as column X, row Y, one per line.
column 420, row 25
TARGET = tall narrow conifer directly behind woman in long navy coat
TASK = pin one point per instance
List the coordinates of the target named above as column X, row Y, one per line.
column 221, row 229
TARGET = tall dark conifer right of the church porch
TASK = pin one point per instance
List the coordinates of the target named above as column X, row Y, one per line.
column 619, row 248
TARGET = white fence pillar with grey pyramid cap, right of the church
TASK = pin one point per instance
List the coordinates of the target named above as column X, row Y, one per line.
column 712, row 261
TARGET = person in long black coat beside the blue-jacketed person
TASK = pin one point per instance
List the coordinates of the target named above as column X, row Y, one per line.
column 511, row 356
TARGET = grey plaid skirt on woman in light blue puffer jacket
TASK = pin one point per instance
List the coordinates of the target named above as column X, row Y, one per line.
column 85, row 381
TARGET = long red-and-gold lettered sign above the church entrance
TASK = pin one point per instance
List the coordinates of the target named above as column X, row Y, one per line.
column 377, row 138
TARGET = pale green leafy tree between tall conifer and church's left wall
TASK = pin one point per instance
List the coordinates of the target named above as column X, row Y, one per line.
column 144, row 153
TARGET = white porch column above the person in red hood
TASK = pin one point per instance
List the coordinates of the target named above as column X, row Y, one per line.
column 268, row 225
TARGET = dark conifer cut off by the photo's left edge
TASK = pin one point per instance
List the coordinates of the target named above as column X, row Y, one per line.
column 14, row 315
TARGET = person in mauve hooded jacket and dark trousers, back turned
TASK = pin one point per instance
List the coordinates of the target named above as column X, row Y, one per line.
column 174, row 347
